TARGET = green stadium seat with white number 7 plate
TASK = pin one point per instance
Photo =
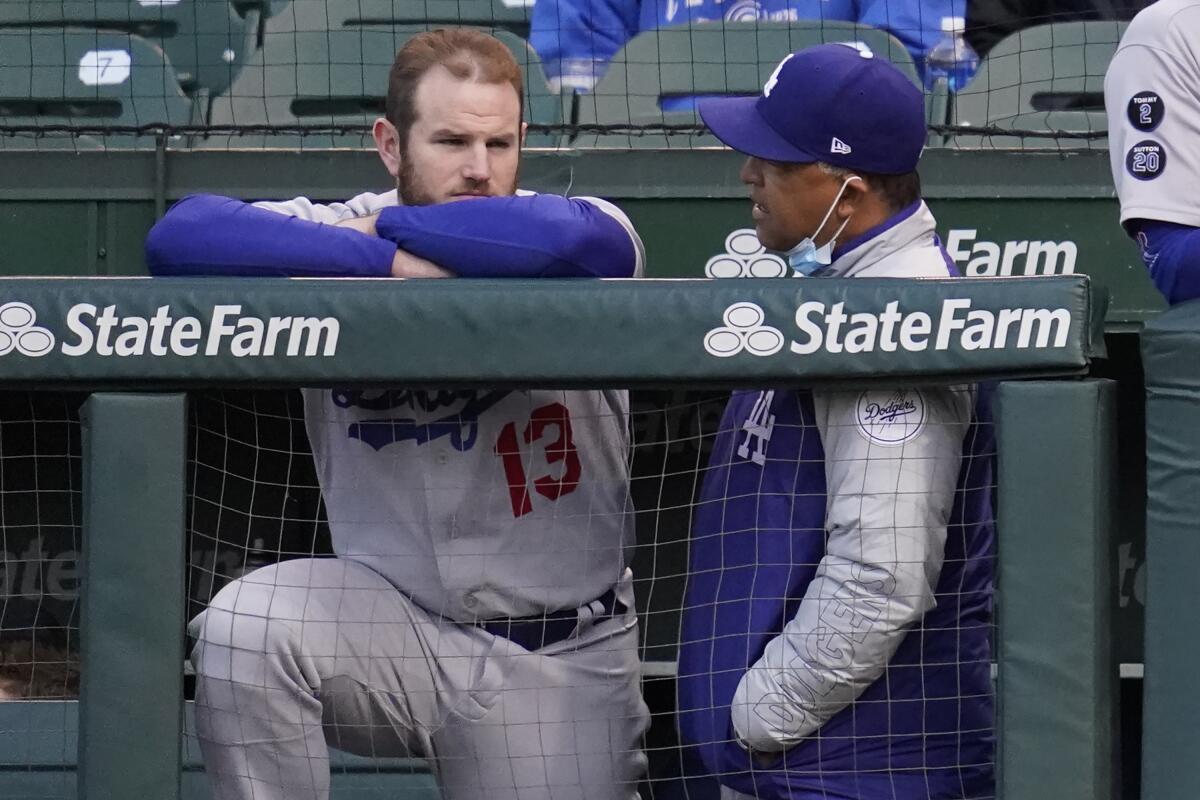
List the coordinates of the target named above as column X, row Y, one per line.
column 71, row 79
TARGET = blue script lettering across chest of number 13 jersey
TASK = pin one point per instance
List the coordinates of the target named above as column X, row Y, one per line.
column 461, row 426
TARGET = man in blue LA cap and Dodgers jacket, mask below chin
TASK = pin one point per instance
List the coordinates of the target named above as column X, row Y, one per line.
column 836, row 630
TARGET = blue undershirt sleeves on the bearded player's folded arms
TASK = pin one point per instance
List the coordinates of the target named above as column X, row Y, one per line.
column 511, row 237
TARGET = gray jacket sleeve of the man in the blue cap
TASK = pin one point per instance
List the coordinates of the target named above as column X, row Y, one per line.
column 890, row 496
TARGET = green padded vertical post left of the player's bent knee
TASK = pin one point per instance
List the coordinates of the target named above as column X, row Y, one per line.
column 134, row 609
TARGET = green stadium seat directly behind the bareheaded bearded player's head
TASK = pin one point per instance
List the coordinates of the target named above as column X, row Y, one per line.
column 321, row 79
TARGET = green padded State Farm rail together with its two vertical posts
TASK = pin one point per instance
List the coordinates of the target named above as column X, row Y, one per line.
column 1057, row 699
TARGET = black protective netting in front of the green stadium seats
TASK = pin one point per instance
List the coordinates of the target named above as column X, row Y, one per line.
column 311, row 75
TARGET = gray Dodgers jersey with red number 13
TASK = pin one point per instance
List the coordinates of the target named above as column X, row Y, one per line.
column 477, row 504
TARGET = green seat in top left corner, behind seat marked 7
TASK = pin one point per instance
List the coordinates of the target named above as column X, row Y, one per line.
column 205, row 40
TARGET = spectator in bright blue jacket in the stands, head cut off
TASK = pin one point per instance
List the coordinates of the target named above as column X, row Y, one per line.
column 577, row 39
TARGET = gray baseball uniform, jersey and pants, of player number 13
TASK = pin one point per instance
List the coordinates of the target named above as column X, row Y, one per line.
column 475, row 504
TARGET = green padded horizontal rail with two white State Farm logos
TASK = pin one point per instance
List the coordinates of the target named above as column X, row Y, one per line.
column 725, row 333
